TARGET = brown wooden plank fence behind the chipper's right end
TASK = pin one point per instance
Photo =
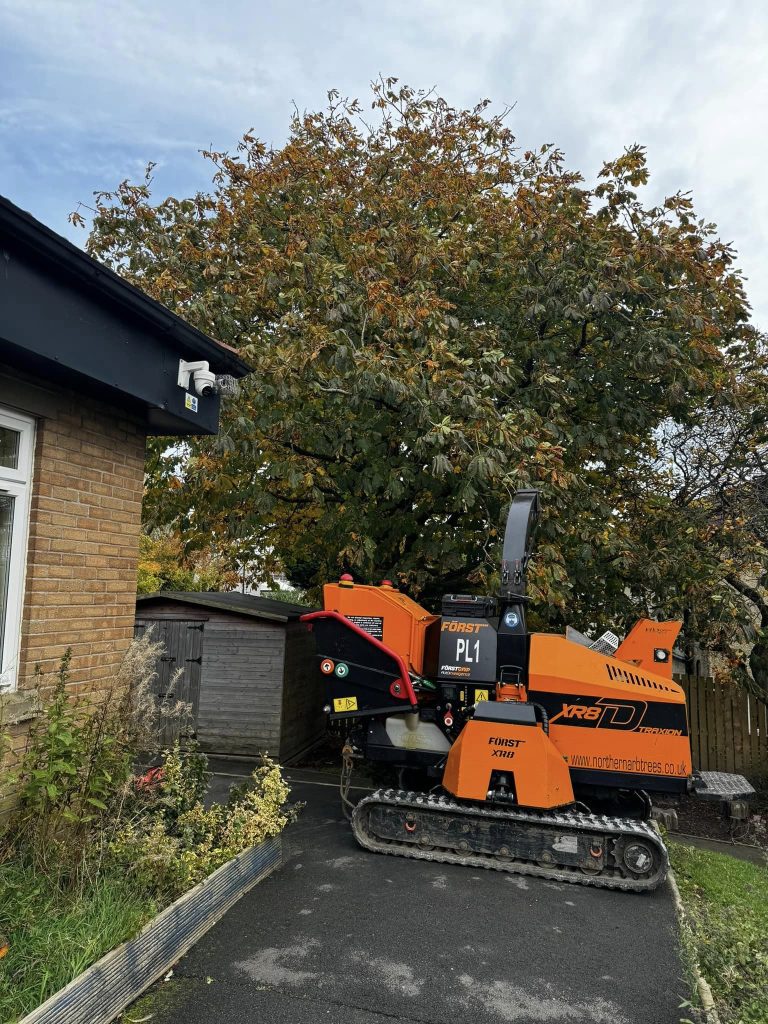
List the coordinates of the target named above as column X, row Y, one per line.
column 729, row 728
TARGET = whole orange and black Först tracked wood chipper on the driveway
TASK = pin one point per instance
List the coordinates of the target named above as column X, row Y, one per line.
column 542, row 751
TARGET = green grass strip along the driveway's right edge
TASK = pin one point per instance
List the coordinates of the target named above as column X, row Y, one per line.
column 726, row 902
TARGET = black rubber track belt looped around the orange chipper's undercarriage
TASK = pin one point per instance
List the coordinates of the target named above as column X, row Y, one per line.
column 611, row 828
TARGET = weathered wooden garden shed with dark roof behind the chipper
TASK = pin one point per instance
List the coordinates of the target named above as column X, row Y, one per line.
column 248, row 670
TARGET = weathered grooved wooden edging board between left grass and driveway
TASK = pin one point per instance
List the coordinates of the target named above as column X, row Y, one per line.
column 98, row 996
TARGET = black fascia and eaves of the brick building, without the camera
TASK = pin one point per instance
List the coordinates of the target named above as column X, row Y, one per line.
column 66, row 317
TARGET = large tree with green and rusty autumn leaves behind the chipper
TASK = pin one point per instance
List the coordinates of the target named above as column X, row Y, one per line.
column 436, row 319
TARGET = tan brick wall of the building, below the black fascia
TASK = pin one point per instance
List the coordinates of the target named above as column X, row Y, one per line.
column 80, row 585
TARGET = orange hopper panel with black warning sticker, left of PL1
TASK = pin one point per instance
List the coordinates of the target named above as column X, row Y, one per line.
column 391, row 617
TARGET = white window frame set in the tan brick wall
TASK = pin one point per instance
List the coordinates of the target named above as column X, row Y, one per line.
column 18, row 484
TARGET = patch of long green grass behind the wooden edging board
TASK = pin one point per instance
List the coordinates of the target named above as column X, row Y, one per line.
column 55, row 933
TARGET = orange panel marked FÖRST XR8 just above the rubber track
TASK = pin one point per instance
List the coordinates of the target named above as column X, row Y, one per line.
column 526, row 753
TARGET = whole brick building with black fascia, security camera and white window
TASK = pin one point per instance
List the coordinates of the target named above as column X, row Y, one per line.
column 97, row 366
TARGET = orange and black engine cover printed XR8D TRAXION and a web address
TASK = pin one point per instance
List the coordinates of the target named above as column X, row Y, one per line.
column 609, row 716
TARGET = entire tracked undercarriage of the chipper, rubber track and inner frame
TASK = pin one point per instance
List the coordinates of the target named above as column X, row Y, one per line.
column 563, row 846
